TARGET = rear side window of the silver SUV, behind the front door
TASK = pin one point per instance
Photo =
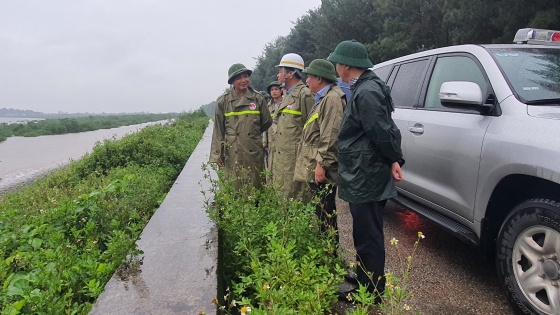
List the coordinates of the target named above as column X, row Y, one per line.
column 407, row 83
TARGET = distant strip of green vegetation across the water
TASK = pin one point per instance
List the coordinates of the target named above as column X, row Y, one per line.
column 80, row 124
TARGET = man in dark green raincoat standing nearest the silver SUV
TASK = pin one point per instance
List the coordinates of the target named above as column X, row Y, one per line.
column 369, row 157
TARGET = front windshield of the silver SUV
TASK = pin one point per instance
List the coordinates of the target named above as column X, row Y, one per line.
column 534, row 73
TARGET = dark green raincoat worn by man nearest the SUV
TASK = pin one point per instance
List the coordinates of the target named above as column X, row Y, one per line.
column 368, row 143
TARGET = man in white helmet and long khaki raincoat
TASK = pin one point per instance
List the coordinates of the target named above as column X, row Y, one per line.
column 290, row 118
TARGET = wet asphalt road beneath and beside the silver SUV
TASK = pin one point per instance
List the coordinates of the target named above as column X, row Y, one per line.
column 448, row 276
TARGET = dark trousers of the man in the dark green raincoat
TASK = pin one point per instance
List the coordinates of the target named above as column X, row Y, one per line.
column 369, row 243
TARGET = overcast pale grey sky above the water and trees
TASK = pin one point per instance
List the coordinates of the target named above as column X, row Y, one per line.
column 131, row 55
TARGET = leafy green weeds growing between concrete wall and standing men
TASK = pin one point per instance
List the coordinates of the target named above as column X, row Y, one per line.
column 275, row 259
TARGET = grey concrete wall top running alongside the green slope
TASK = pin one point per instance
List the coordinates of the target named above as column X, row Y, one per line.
column 180, row 244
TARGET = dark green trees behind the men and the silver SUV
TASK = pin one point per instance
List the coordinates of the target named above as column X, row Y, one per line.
column 393, row 28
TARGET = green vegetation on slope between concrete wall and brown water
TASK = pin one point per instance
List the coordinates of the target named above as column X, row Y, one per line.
column 62, row 238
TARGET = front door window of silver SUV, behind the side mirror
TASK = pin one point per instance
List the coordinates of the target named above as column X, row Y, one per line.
column 452, row 68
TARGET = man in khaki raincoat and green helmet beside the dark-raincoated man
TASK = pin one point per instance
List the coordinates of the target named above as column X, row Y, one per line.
column 317, row 163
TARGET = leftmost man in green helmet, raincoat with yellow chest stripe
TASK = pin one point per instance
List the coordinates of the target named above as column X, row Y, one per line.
column 241, row 117
